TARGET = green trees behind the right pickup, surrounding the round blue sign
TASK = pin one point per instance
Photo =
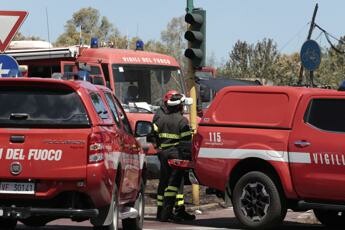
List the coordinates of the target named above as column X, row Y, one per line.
column 262, row 61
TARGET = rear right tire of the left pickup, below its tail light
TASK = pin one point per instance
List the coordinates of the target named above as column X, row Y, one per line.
column 108, row 217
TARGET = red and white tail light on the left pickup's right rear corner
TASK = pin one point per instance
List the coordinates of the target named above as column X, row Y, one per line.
column 96, row 148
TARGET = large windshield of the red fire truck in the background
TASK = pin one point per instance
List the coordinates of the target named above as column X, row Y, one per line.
column 145, row 85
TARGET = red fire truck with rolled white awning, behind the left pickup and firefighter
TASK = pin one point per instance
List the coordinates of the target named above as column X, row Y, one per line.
column 150, row 74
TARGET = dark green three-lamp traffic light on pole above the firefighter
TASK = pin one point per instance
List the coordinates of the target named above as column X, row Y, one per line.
column 196, row 35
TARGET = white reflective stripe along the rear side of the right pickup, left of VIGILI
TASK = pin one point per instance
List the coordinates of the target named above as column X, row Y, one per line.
column 269, row 155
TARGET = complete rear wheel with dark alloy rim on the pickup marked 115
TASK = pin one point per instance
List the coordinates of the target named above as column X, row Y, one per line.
column 257, row 202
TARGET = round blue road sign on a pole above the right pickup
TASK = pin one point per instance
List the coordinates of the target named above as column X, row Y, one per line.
column 310, row 55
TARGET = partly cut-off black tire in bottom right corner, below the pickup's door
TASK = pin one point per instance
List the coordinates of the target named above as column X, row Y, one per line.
column 330, row 218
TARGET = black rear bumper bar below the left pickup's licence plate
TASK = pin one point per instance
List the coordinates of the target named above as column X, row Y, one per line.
column 26, row 212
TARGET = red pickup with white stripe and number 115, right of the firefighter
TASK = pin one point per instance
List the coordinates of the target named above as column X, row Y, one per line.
column 269, row 149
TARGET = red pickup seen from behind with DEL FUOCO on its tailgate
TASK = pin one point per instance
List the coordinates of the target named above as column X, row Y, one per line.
column 67, row 151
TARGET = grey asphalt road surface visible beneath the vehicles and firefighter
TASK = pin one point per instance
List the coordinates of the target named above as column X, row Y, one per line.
column 208, row 220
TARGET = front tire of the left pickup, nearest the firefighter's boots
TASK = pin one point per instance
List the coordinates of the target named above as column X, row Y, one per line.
column 137, row 223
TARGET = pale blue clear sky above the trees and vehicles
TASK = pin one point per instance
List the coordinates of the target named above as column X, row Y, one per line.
column 285, row 21
